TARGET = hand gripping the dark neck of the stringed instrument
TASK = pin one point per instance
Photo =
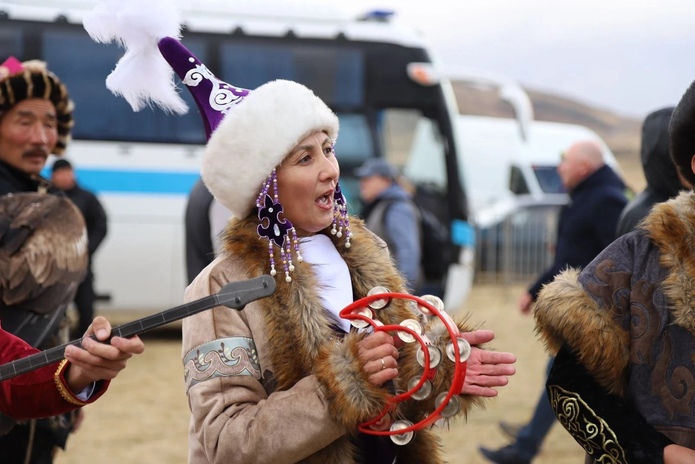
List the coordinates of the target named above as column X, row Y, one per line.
column 99, row 361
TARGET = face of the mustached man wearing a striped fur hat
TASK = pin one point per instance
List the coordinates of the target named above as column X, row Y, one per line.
column 28, row 134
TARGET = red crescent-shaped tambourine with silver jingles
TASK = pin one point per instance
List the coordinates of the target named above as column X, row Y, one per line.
column 363, row 313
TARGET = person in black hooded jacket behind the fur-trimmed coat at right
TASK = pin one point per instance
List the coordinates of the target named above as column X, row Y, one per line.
column 663, row 180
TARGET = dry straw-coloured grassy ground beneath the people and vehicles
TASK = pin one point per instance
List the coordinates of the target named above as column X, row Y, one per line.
column 143, row 417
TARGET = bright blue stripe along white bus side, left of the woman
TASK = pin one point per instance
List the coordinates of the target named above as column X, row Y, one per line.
column 145, row 182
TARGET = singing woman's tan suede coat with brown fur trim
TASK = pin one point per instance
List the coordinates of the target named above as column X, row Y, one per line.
column 274, row 383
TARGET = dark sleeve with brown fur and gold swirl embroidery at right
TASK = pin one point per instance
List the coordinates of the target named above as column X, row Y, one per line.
column 585, row 321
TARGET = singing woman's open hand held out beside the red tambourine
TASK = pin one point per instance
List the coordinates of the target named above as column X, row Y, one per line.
column 486, row 369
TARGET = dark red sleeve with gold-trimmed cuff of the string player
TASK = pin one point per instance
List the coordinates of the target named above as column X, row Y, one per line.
column 39, row 393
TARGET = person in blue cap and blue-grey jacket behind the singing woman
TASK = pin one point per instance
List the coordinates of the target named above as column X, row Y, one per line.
column 390, row 213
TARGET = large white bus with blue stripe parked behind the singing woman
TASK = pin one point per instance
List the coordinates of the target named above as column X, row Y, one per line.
column 377, row 75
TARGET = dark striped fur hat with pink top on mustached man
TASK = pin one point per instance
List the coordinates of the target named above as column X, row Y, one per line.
column 31, row 79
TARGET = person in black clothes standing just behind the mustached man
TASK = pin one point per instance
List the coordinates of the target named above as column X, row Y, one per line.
column 63, row 178
